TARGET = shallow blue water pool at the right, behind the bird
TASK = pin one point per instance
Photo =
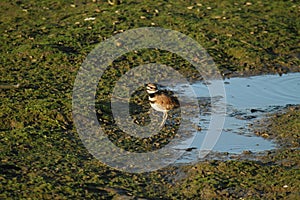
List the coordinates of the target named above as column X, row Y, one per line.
column 247, row 99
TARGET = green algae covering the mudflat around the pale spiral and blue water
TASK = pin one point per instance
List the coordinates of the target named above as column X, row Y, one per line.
column 43, row 44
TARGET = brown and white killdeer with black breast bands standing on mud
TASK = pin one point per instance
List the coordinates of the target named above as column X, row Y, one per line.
column 161, row 101
